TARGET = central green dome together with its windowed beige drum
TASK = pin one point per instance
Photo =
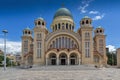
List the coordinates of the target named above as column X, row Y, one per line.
column 63, row 20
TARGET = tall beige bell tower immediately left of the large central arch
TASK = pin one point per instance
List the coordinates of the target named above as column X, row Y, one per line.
column 40, row 32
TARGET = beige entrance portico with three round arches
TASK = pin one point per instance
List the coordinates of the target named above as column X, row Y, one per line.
column 63, row 58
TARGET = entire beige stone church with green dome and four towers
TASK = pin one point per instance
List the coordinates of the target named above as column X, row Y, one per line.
column 63, row 45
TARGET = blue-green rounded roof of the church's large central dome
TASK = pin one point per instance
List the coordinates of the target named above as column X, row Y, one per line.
column 63, row 12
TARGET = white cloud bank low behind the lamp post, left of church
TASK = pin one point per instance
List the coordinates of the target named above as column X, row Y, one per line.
column 11, row 46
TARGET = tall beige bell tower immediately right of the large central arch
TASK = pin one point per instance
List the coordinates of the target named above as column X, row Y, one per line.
column 85, row 32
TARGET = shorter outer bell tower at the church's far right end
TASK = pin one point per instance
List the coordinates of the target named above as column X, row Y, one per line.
column 99, row 42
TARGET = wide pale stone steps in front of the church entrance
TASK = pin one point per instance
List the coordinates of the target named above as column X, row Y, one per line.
column 61, row 68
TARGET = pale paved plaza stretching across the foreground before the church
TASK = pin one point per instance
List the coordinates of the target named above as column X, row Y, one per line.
column 60, row 73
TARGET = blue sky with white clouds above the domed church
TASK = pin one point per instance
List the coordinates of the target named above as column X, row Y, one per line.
column 16, row 15
